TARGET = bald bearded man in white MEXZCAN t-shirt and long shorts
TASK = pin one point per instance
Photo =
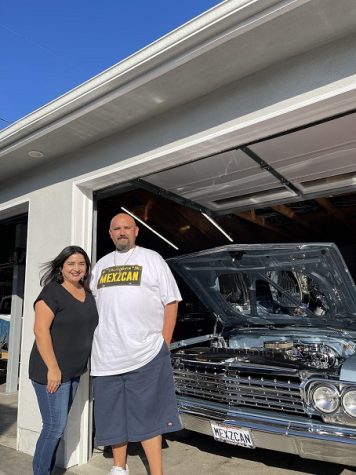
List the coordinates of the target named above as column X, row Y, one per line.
column 137, row 299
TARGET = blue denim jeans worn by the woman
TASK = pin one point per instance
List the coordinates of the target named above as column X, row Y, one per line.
column 54, row 409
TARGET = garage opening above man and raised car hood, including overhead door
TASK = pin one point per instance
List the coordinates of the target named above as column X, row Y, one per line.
column 294, row 187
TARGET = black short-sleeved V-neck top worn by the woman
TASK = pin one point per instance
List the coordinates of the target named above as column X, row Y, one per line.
column 72, row 332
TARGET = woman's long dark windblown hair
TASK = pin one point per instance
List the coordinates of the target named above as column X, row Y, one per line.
column 52, row 270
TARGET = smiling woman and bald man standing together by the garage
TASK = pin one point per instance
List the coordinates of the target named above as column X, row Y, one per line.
column 124, row 315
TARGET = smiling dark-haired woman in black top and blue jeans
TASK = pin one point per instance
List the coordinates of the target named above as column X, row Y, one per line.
column 65, row 320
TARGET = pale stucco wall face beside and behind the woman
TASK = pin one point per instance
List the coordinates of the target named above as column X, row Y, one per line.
column 49, row 230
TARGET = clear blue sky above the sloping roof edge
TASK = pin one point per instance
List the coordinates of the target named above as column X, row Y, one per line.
column 49, row 47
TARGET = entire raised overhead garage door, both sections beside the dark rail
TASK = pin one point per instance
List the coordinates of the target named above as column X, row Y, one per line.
column 297, row 165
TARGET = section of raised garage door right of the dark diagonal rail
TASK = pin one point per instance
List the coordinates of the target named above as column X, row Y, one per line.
column 315, row 159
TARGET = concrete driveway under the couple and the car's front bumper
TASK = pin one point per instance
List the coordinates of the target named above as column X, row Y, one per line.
column 193, row 454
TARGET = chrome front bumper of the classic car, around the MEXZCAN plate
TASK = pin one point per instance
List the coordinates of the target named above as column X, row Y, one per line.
column 290, row 434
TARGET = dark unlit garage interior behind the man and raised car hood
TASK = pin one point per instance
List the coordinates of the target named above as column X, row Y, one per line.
column 321, row 220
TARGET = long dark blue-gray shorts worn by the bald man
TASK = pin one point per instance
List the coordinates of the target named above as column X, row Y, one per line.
column 136, row 405
